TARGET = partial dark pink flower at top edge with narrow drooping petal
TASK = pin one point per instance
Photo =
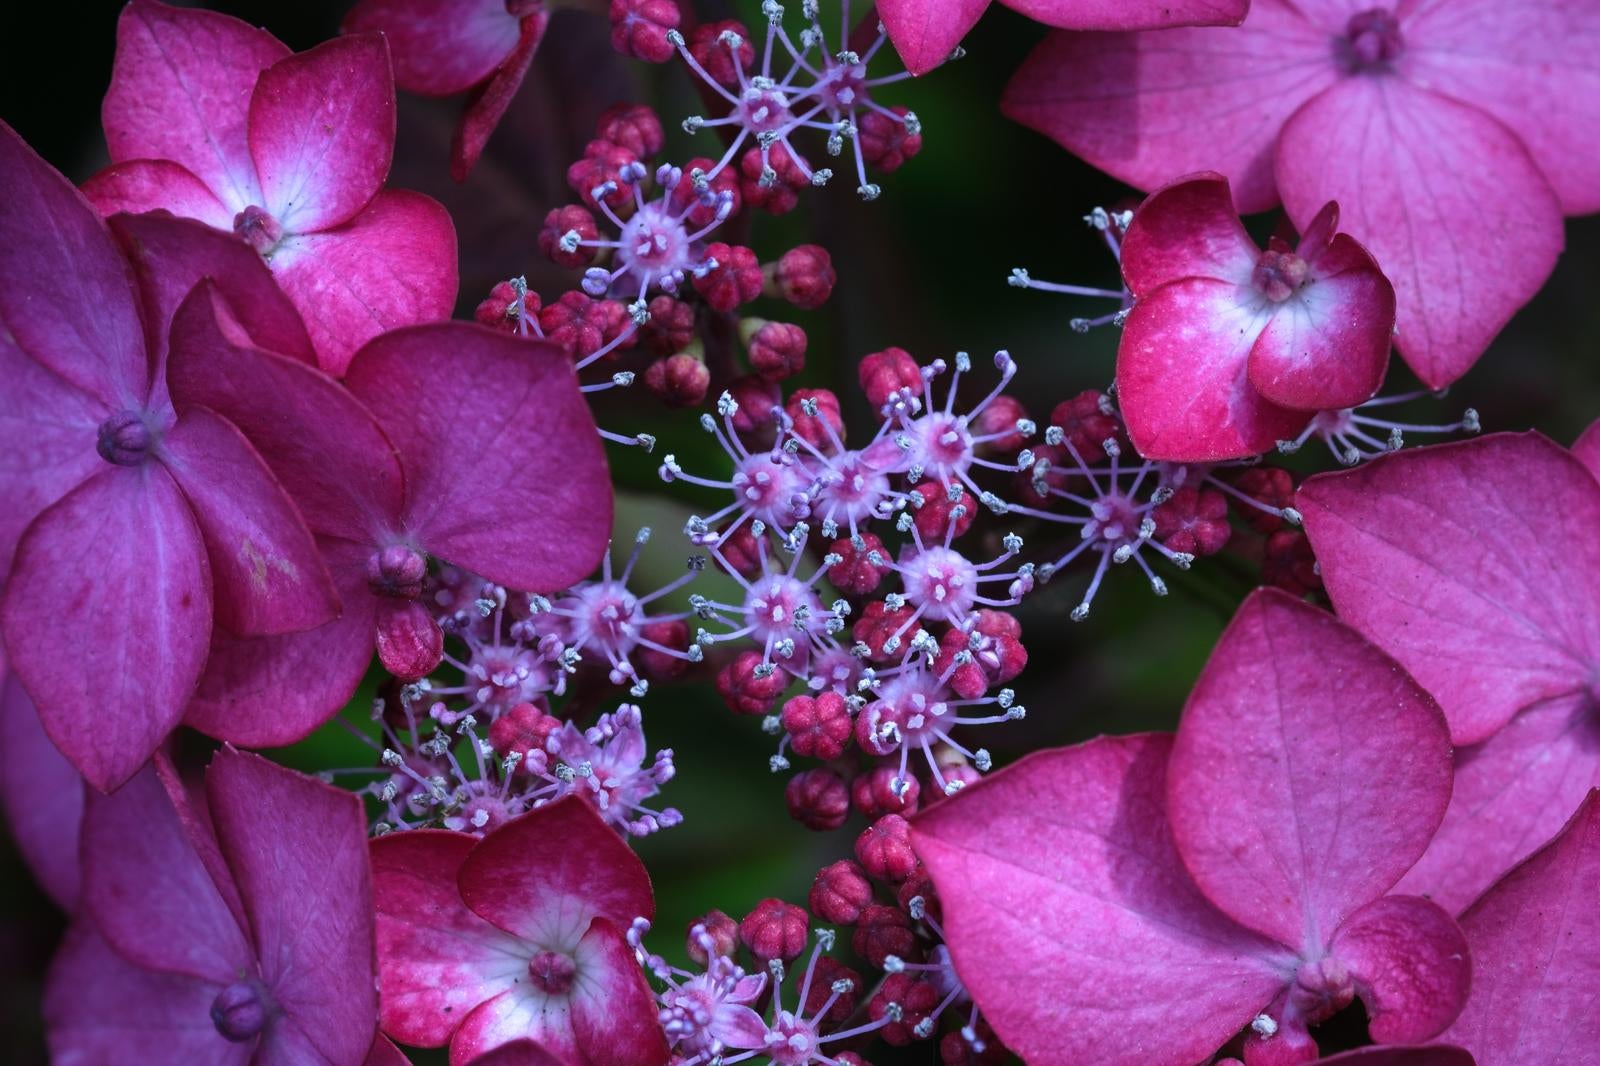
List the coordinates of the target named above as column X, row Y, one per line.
column 447, row 47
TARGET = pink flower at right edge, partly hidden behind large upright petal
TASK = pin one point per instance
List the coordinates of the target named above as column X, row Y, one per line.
column 1478, row 567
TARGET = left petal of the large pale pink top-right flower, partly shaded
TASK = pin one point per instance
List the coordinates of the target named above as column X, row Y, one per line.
column 1150, row 106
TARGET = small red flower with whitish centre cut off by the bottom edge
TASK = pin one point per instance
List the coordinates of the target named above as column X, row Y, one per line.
column 522, row 934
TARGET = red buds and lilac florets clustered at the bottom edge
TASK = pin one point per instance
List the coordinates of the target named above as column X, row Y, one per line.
column 737, row 1006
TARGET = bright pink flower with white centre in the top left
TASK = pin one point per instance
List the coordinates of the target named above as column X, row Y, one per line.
column 214, row 119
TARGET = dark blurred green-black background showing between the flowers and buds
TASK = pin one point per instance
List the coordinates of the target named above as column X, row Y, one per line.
column 924, row 268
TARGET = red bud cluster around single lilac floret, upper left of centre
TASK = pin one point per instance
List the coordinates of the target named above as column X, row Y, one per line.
column 660, row 295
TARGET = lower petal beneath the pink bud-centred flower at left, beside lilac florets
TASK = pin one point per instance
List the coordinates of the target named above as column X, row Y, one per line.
column 265, row 692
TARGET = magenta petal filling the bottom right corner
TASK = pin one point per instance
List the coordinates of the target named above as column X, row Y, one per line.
column 1537, row 955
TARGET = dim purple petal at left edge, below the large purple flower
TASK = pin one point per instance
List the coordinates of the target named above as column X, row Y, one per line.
column 42, row 796
